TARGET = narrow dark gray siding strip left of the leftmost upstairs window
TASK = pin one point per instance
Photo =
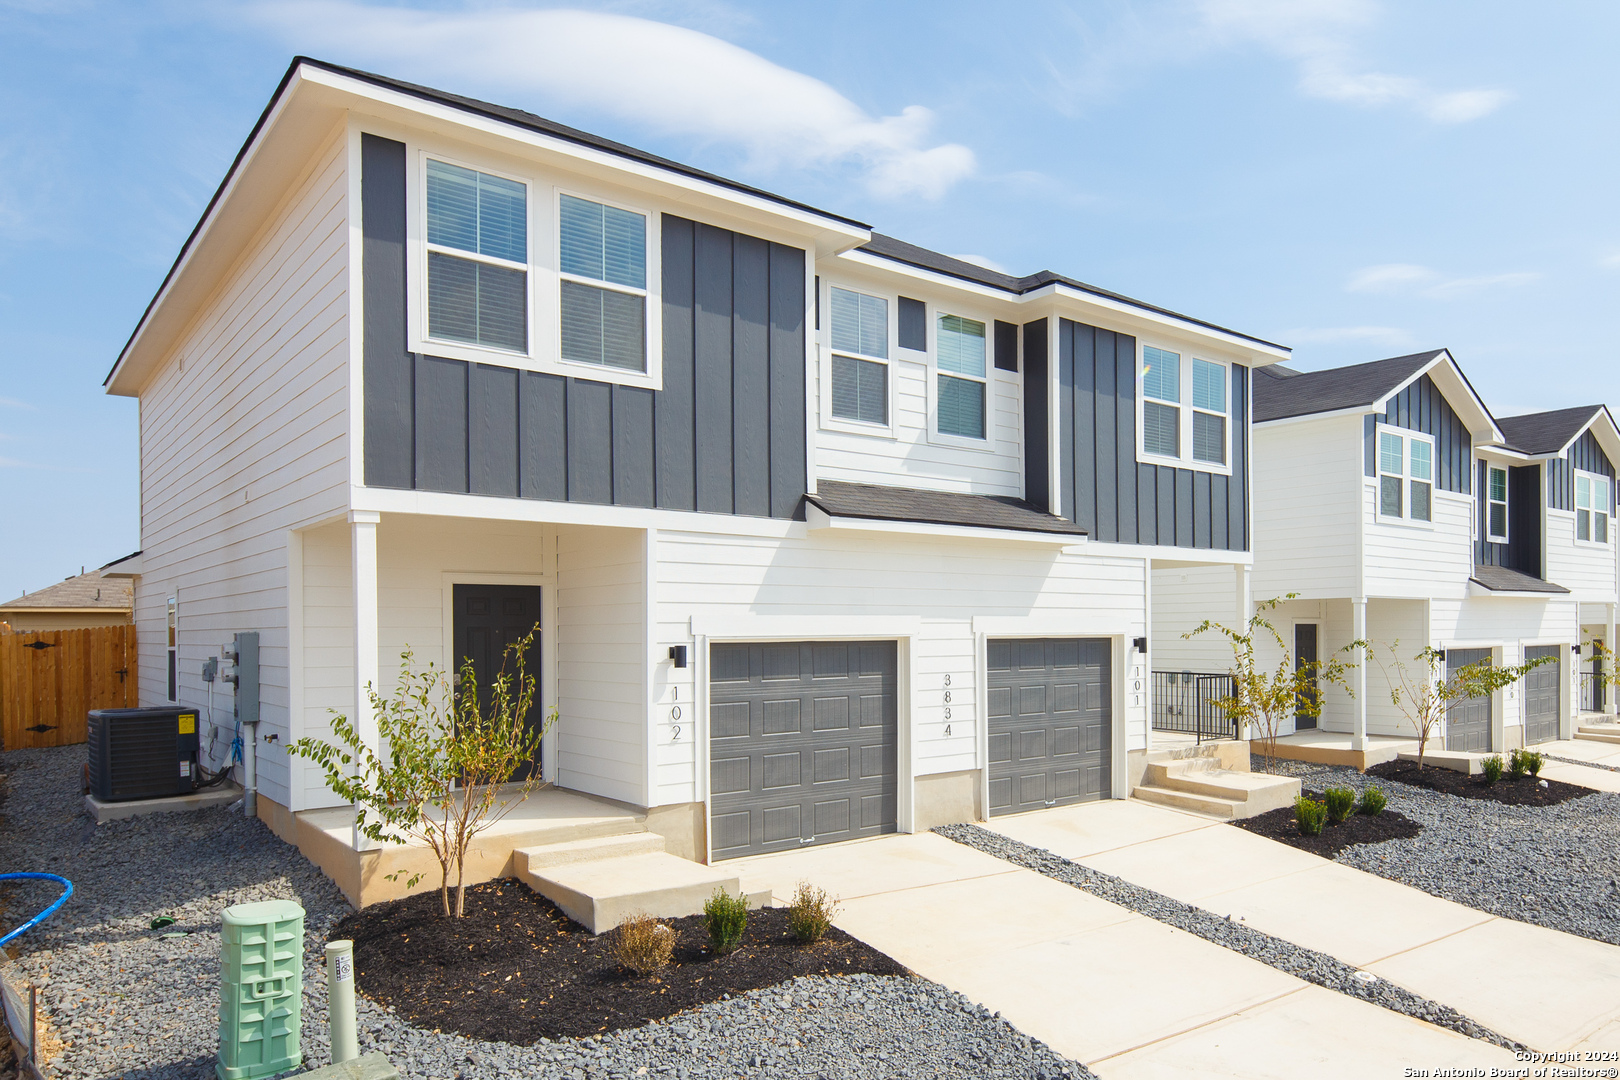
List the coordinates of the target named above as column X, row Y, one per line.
column 390, row 391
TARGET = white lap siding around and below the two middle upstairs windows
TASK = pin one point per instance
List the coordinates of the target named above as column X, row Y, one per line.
column 911, row 461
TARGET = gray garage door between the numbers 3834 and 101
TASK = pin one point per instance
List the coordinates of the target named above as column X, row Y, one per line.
column 1051, row 723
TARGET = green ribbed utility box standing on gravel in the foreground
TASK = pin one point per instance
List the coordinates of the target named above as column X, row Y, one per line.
column 260, row 990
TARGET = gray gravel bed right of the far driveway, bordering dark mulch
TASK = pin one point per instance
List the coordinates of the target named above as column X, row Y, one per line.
column 1558, row 867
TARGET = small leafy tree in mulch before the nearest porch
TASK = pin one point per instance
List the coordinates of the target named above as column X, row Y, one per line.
column 443, row 765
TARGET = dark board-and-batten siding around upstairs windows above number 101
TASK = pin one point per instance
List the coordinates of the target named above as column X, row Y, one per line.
column 1104, row 488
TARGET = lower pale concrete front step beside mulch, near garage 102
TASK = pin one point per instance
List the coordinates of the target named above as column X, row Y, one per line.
column 602, row 893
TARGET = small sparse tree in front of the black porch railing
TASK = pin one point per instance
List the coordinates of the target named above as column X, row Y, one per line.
column 1264, row 697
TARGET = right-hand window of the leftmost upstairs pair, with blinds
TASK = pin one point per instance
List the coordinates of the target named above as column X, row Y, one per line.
column 603, row 268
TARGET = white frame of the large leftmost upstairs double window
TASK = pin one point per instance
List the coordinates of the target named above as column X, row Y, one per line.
column 545, row 279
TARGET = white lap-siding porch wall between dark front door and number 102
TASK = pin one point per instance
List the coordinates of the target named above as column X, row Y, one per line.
column 602, row 663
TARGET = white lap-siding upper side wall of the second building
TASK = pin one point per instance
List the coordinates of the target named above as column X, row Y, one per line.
column 1307, row 483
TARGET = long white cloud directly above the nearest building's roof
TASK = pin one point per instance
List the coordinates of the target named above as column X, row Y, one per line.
column 665, row 79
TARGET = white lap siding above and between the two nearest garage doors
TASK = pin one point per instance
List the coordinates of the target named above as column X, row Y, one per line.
column 945, row 585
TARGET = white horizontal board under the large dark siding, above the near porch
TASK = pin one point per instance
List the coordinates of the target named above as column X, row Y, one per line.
column 539, row 511
